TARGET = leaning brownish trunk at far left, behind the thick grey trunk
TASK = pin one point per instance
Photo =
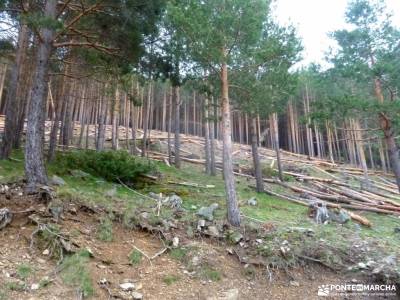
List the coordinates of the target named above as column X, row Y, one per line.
column 12, row 102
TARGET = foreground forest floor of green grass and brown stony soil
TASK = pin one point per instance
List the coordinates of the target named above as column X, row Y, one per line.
column 116, row 236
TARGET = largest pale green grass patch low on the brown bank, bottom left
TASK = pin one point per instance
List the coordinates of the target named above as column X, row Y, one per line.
column 74, row 272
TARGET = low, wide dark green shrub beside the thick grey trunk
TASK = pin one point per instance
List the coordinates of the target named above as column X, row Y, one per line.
column 110, row 165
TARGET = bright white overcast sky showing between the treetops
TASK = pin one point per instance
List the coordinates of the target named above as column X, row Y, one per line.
column 314, row 19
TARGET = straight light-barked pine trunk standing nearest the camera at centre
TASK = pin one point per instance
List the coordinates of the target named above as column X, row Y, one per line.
column 233, row 213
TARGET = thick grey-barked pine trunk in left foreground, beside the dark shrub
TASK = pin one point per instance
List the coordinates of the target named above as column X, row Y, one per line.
column 34, row 163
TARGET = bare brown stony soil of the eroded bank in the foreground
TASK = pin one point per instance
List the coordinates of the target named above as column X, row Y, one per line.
column 111, row 262
